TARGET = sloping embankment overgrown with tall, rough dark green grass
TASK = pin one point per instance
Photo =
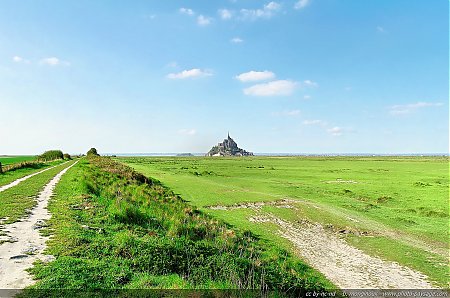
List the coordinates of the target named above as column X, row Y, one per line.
column 116, row 229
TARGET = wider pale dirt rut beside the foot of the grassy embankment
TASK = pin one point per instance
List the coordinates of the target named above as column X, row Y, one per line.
column 26, row 244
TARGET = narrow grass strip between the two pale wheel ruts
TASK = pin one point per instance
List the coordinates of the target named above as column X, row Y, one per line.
column 16, row 201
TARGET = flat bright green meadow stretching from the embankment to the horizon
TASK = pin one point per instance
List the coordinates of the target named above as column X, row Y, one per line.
column 392, row 207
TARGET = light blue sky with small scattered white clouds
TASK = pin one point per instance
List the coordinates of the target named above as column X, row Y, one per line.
column 298, row 76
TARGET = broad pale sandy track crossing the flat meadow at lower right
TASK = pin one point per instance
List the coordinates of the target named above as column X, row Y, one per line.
column 344, row 265
